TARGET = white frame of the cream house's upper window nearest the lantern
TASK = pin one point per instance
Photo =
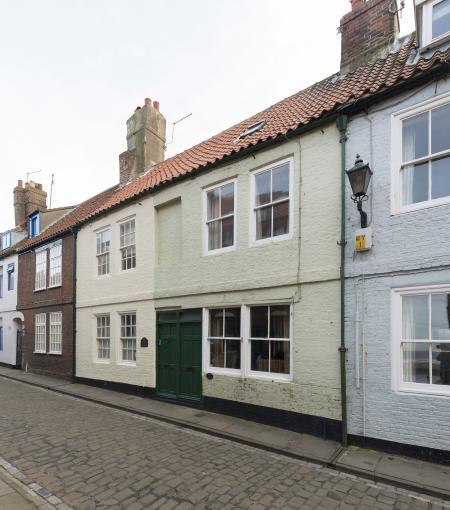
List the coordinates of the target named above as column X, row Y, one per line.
column 253, row 207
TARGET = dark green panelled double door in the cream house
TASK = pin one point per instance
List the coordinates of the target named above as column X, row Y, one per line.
column 179, row 354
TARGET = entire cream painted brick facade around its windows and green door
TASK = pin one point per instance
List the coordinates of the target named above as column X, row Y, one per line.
column 174, row 271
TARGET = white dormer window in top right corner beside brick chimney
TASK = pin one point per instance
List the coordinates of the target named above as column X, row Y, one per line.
column 433, row 22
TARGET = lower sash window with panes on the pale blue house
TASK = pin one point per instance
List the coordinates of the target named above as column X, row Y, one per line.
column 423, row 339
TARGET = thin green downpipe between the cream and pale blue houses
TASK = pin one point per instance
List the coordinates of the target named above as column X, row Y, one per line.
column 341, row 124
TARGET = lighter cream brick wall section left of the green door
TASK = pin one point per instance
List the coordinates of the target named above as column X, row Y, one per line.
column 118, row 292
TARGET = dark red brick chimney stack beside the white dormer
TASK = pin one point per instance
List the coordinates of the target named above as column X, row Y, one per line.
column 368, row 32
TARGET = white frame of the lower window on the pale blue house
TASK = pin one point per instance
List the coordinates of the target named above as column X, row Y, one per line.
column 398, row 385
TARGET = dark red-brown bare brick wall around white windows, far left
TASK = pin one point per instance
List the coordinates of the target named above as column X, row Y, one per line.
column 56, row 299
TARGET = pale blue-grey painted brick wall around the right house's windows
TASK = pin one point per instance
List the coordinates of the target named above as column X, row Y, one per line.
column 409, row 249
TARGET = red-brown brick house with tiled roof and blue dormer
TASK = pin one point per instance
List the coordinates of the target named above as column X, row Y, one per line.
column 46, row 291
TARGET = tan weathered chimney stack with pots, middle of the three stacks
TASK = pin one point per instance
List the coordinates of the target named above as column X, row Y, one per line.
column 146, row 140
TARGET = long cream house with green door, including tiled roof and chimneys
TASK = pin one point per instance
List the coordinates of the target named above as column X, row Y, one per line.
column 214, row 276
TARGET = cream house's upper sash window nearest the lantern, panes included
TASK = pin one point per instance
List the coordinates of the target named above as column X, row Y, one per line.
column 272, row 202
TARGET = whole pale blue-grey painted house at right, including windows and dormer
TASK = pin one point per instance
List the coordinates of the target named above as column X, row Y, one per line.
column 398, row 284
